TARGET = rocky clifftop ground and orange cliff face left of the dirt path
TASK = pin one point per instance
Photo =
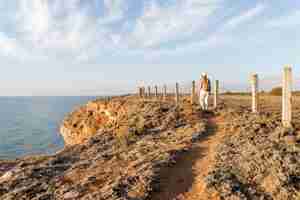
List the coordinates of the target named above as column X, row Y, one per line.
column 122, row 147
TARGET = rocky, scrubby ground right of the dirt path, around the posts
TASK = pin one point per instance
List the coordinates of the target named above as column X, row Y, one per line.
column 258, row 158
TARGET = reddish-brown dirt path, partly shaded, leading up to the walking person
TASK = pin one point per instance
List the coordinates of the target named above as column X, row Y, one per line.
column 185, row 181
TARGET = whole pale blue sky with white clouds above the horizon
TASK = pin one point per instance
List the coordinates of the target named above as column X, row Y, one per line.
column 104, row 47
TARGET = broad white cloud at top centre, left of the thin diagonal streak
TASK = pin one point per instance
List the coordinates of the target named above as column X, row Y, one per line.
column 174, row 22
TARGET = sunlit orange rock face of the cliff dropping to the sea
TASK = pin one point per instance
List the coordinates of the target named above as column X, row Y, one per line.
column 84, row 122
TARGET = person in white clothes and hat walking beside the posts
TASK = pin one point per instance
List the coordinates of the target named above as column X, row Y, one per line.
column 204, row 91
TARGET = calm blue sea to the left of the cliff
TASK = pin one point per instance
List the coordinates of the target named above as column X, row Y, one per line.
column 30, row 125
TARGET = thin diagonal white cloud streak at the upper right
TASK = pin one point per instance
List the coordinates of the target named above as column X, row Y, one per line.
column 245, row 17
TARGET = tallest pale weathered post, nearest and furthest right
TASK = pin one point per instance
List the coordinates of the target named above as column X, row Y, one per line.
column 287, row 97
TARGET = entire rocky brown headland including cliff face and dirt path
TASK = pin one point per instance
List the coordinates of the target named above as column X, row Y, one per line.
column 130, row 149
